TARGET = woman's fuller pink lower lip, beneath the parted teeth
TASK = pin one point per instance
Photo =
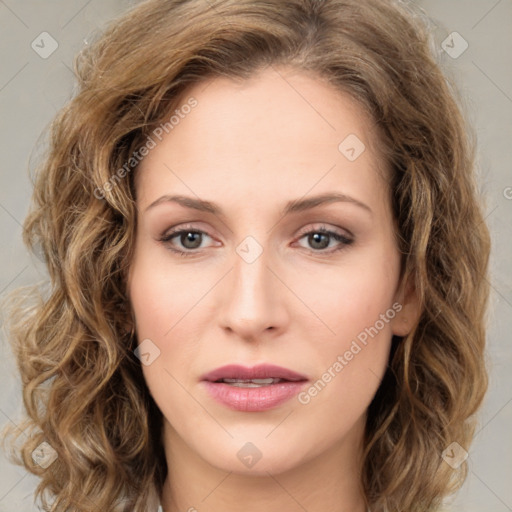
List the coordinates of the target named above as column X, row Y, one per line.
column 254, row 399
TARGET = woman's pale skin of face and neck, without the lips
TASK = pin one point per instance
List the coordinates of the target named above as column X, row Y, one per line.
column 251, row 147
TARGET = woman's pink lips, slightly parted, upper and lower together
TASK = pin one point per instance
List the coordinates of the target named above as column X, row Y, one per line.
column 253, row 399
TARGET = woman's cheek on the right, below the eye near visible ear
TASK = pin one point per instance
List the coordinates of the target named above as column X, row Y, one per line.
column 355, row 305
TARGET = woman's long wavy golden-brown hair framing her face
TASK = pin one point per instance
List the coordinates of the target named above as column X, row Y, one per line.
column 83, row 388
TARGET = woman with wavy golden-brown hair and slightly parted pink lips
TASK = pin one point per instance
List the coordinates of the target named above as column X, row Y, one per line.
column 318, row 345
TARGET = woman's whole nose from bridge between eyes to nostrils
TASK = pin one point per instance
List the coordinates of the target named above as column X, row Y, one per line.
column 252, row 301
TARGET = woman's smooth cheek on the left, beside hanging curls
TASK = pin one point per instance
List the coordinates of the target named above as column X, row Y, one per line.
column 168, row 301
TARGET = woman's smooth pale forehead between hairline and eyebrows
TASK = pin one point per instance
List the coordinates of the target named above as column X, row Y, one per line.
column 278, row 129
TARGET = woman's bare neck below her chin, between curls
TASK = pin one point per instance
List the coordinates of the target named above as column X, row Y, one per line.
column 329, row 481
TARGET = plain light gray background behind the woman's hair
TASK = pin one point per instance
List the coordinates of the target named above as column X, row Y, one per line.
column 33, row 88
